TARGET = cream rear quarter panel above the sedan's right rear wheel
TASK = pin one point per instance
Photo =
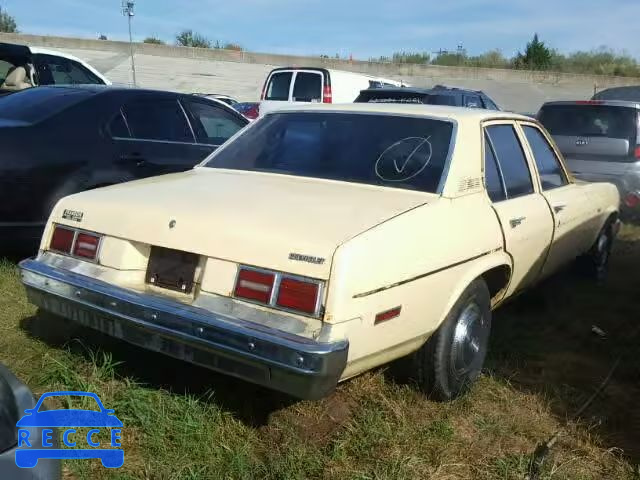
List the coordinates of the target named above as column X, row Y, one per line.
column 421, row 260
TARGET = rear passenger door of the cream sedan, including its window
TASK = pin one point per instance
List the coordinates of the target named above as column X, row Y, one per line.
column 523, row 212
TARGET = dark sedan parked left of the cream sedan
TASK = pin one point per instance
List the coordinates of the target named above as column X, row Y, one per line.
column 57, row 141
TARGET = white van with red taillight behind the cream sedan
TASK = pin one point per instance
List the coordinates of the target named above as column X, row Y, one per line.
column 316, row 85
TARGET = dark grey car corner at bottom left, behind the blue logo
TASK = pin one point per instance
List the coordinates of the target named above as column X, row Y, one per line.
column 15, row 398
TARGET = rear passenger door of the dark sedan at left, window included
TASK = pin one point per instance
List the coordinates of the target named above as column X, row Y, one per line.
column 153, row 136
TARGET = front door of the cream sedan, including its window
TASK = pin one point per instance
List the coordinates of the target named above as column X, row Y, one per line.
column 570, row 206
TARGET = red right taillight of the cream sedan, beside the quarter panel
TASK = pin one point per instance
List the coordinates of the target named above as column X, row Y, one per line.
column 279, row 290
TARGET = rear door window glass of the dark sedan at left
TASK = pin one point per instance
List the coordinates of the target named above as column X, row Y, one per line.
column 158, row 120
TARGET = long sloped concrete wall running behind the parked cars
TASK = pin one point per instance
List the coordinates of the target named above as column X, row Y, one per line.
column 242, row 73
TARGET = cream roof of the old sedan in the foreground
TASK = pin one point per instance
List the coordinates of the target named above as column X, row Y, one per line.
column 427, row 111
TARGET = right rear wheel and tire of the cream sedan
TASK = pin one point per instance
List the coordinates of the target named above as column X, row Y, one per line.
column 449, row 363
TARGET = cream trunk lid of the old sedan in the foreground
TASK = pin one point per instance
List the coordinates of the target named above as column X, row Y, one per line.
column 257, row 219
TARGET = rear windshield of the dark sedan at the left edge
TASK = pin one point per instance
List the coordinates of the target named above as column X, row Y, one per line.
column 36, row 104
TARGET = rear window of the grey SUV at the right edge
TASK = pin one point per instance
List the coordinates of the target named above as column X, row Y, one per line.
column 590, row 121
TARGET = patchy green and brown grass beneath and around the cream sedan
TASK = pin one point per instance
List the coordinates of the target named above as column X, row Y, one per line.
column 184, row 422
